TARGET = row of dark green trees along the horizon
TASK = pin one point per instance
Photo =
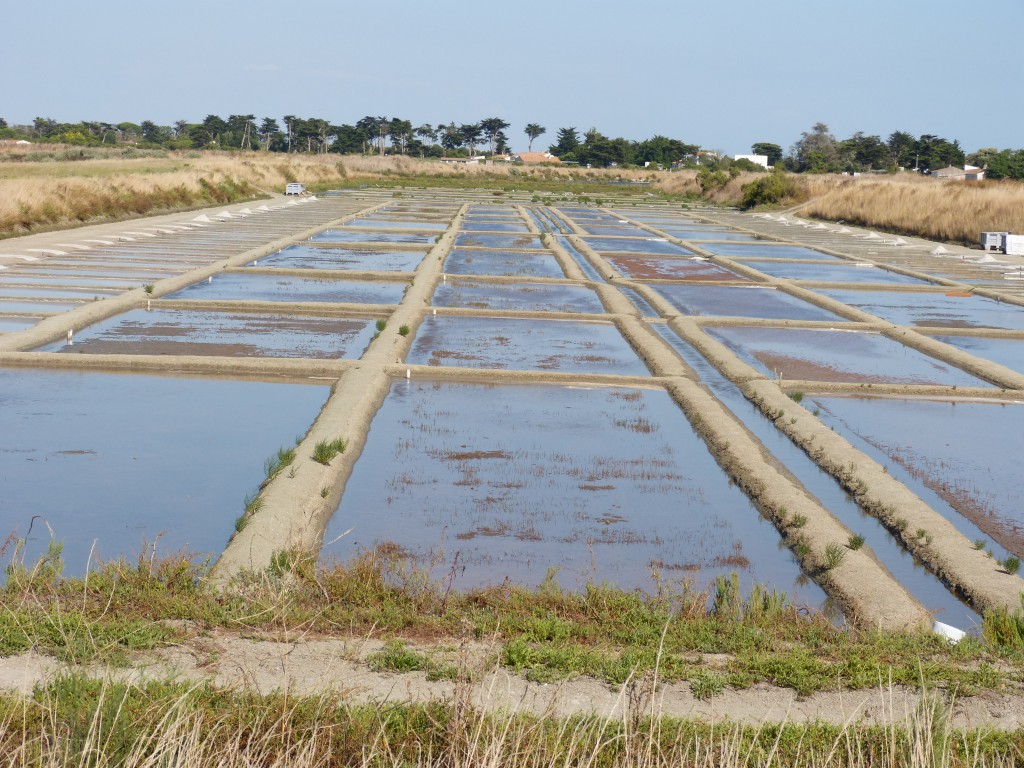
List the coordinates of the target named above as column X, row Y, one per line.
column 818, row 151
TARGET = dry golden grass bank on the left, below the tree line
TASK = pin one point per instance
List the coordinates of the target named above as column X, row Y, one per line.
column 59, row 193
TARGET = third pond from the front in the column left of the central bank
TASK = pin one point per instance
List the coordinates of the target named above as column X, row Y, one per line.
column 241, row 287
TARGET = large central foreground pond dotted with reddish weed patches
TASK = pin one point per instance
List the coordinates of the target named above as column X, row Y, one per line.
column 490, row 483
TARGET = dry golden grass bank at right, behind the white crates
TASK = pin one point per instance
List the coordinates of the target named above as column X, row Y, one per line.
column 909, row 204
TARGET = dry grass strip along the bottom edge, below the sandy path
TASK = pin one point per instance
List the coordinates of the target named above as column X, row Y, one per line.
column 78, row 721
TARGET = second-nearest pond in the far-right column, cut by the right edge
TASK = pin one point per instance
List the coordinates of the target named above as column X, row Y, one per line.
column 933, row 310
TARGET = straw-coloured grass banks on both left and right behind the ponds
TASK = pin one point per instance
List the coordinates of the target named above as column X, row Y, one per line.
column 64, row 191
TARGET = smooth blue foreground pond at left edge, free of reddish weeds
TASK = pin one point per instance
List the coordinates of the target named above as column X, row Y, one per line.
column 127, row 461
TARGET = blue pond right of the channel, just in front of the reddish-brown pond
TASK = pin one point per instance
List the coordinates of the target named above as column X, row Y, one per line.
column 742, row 302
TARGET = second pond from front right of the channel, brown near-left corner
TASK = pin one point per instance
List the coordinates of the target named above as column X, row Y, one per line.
column 837, row 357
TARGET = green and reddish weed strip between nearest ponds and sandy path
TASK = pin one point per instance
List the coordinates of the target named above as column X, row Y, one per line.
column 545, row 634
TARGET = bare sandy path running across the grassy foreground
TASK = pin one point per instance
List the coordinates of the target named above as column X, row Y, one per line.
column 308, row 666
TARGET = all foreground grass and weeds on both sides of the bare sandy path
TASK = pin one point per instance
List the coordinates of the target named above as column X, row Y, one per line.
column 630, row 641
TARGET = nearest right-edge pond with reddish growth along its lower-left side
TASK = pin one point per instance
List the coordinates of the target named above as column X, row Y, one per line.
column 968, row 453
